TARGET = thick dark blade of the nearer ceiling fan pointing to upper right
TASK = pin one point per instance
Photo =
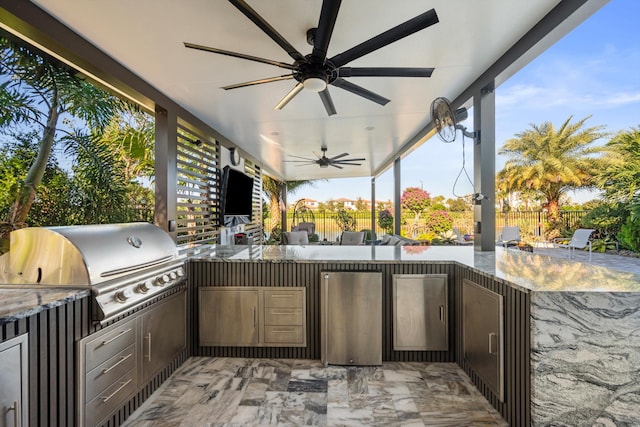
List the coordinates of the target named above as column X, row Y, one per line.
column 396, row 33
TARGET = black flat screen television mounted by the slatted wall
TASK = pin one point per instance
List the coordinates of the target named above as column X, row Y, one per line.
column 236, row 197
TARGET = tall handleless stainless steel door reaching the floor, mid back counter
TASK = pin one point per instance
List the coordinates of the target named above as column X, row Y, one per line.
column 351, row 318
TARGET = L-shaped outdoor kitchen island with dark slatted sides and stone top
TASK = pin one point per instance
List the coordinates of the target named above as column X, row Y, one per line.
column 569, row 353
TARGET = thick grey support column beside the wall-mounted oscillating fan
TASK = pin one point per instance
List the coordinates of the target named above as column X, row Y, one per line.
column 484, row 169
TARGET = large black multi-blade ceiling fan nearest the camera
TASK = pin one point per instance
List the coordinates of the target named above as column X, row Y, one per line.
column 315, row 71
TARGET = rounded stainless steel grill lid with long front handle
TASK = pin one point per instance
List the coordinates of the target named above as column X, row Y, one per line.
column 87, row 254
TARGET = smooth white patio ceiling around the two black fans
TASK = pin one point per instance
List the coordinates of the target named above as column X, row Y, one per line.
column 147, row 37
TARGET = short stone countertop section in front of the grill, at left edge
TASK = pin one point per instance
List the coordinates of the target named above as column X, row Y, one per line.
column 17, row 302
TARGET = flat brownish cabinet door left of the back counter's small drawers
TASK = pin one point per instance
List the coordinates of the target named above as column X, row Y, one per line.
column 228, row 317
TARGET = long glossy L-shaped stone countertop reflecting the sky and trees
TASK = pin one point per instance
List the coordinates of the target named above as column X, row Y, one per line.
column 529, row 271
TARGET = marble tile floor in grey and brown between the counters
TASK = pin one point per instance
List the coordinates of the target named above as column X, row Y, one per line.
column 286, row 392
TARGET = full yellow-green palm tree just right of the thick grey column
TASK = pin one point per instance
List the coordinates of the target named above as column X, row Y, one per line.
column 552, row 162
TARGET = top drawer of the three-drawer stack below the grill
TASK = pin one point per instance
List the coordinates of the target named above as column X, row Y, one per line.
column 108, row 343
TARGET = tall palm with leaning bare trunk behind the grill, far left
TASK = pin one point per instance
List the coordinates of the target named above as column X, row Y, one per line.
column 39, row 91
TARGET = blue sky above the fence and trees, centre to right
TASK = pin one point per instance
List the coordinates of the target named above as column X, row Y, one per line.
column 594, row 70
